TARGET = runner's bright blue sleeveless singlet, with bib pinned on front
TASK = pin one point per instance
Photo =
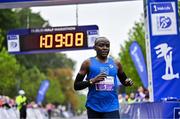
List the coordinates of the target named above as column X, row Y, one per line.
column 103, row 97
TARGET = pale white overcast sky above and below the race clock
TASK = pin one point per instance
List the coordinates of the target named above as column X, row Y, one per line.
column 114, row 20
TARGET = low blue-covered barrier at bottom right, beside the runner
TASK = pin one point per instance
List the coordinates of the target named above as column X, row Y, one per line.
column 154, row 110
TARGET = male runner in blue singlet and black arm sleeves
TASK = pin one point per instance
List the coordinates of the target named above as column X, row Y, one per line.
column 101, row 74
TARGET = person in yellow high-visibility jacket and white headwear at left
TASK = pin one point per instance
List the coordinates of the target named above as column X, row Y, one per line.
column 21, row 102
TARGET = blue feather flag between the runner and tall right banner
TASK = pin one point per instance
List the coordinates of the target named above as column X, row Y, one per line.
column 138, row 59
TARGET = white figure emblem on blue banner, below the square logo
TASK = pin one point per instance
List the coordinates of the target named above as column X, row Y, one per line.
column 164, row 51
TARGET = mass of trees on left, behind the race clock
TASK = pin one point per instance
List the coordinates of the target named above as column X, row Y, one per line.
column 27, row 71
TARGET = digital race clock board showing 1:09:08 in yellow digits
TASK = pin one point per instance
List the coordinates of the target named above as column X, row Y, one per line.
column 52, row 39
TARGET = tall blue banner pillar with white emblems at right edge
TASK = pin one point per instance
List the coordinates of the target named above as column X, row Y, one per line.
column 163, row 47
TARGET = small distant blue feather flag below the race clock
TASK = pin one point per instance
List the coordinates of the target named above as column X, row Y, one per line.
column 42, row 91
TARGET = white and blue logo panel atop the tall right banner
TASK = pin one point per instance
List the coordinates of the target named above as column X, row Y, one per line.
column 163, row 18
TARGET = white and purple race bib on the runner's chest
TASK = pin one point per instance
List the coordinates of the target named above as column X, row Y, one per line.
column 106, row 85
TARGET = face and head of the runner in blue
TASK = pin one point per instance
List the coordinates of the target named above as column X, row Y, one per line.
column 102, row 48
